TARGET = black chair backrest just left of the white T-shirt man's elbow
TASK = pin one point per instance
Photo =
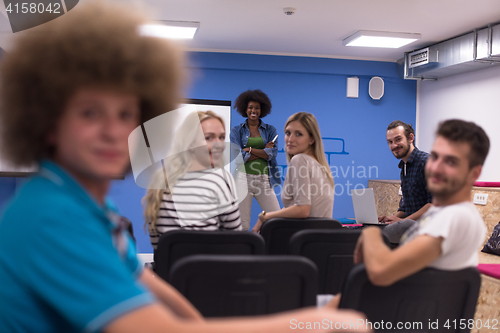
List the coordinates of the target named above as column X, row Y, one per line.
column 332, row 252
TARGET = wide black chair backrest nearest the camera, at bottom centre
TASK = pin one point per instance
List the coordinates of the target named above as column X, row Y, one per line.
column 222, row 286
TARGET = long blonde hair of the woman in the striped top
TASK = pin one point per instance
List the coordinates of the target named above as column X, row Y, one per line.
column 175, row 166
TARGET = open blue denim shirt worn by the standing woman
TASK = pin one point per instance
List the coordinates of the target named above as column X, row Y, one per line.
column 239, row 136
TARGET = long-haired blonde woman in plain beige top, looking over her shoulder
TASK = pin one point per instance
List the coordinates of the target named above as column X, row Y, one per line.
column 309, row 188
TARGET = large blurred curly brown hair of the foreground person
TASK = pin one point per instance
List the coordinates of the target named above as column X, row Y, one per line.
column 95, row 45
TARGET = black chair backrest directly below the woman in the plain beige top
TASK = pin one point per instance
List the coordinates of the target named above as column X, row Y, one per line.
column 277, row 232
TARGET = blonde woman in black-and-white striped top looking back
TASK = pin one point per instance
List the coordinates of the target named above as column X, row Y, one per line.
column 197, row 193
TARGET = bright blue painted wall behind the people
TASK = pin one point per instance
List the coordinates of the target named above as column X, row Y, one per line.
column 294, row 84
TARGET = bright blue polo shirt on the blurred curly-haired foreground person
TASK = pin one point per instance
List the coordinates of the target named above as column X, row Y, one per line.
column 66, row 264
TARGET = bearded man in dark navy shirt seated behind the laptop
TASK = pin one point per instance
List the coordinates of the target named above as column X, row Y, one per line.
column 416, row 199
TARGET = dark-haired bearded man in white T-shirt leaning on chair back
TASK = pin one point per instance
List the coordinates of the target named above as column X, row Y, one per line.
column 450, row 232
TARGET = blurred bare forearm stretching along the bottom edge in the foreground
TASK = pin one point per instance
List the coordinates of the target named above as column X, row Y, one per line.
column 156, row 318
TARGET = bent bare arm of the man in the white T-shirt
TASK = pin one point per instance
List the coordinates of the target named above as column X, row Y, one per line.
column 385, row 266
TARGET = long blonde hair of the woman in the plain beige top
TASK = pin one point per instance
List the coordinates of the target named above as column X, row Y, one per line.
column 311, row 125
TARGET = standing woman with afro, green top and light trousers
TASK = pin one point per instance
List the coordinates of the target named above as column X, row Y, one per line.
column 258, row 172
